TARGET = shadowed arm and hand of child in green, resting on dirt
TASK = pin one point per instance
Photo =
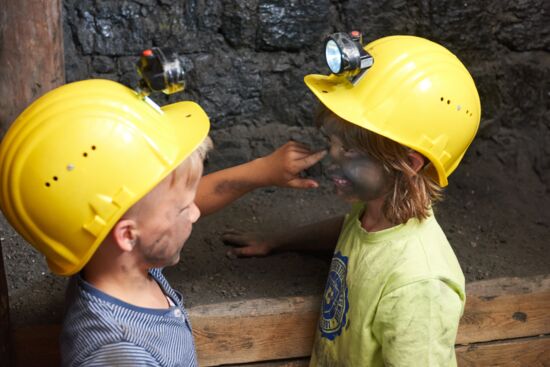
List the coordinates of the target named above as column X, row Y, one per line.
column 315, row 237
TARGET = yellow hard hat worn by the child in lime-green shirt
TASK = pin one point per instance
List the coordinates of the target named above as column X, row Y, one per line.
column 416, row 93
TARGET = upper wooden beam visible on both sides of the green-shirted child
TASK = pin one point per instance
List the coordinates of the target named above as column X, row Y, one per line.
column 259, row 330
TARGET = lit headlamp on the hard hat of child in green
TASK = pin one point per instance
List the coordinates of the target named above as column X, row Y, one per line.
column 345, row 55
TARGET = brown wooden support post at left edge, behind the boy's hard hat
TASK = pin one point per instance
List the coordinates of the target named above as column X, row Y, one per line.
column 31, row 63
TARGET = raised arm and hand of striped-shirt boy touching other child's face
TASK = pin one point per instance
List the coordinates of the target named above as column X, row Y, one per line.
column 280, row 168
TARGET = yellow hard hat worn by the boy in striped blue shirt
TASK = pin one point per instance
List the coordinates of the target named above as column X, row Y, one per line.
column 80, row 156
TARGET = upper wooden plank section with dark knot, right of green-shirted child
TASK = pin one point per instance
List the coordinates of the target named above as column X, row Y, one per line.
column 505, row 308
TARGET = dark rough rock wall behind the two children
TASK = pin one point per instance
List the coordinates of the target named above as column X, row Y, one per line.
column 247, row 59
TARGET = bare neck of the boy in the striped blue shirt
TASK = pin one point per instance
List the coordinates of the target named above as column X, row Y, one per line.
column 119, row 275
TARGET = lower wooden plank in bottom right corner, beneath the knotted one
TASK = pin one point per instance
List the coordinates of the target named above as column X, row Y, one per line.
column 527, row 352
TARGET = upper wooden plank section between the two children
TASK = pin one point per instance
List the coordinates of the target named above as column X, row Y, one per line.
column 255, row 330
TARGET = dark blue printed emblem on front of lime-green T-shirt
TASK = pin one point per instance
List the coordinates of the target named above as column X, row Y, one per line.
column 335, row 299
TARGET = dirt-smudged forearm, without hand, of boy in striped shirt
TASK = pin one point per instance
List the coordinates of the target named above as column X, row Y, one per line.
column 219, row 189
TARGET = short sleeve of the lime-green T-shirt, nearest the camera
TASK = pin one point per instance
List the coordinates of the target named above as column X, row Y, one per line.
column 416, row 324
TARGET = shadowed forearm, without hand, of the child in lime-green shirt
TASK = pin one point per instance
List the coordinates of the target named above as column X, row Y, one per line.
column 320, row 236
